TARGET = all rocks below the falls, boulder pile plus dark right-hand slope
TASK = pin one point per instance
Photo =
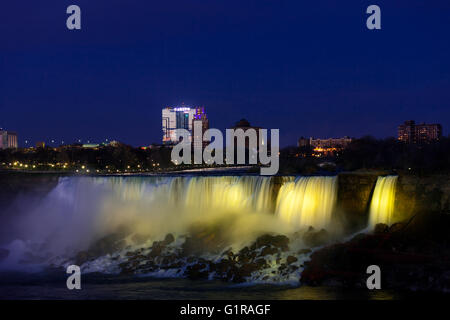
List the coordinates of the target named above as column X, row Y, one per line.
column 413, row 255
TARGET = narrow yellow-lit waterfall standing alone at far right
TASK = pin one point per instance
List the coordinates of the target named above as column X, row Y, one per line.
column 382, row 205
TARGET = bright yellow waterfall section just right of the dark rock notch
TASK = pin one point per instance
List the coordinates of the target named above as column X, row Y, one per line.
column 308, row 201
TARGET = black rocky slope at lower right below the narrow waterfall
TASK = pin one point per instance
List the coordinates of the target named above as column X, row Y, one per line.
column 414, row 255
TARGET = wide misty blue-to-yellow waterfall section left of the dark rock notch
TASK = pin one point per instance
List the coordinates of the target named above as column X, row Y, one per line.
column 81, row 209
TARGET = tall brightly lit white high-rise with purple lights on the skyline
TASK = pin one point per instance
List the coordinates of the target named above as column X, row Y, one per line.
column 179, row 117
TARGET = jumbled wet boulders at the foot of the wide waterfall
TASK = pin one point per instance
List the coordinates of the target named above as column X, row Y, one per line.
column 202, row 255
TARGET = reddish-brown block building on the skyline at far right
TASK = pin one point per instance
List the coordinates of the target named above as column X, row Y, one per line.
column 410, row 132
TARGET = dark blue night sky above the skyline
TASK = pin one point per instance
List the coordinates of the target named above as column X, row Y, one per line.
column 309, row 68
